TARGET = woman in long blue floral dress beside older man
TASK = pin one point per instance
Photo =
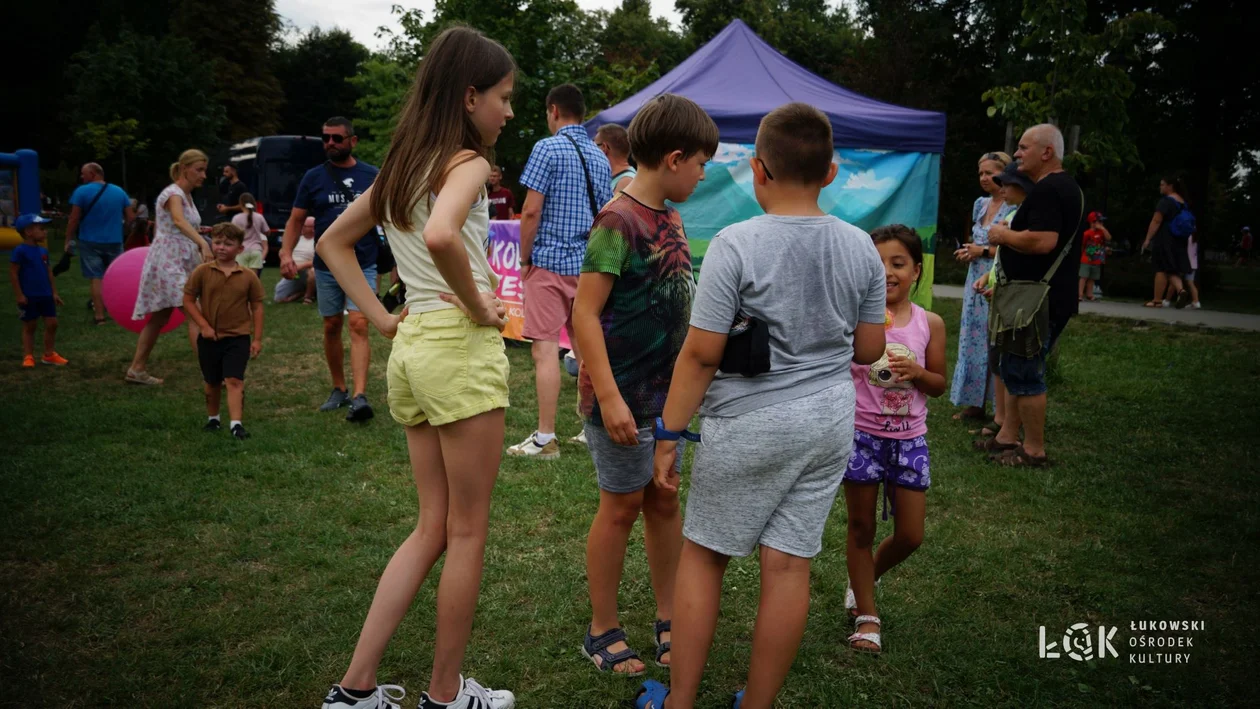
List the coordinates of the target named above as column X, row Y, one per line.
column 972, row 387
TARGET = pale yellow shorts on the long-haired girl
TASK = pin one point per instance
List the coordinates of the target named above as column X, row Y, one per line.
column 445, row 368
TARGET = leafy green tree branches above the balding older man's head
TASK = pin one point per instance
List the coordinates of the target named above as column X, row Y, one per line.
column 1084, row 86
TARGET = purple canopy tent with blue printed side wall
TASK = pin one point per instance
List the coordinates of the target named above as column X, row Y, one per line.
column 889, row 157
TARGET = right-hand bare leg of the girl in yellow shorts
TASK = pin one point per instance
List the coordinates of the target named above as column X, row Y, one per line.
column 472, row 468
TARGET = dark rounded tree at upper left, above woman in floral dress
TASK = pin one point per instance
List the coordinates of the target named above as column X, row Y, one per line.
column 158, row 93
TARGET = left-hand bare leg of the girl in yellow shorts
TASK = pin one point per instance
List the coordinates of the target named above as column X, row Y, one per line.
column 411, row 564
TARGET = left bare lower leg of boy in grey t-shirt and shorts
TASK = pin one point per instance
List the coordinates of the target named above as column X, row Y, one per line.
column 697, row 599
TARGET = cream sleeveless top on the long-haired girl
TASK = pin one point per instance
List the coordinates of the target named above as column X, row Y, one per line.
column 416, row 265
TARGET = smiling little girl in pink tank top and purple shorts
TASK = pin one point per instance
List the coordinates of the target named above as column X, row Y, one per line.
column 890, row 439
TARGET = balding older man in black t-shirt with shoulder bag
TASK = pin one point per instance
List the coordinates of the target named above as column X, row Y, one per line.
column 1049, row 225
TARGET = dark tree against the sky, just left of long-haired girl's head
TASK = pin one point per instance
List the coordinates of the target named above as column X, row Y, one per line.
column 317, row 74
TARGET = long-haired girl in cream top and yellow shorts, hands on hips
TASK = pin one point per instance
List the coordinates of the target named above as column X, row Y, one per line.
column 448, row 370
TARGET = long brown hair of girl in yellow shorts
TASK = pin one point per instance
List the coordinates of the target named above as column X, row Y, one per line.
column 434, row 125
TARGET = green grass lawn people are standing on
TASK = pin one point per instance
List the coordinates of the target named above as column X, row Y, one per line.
column 149, row 565
